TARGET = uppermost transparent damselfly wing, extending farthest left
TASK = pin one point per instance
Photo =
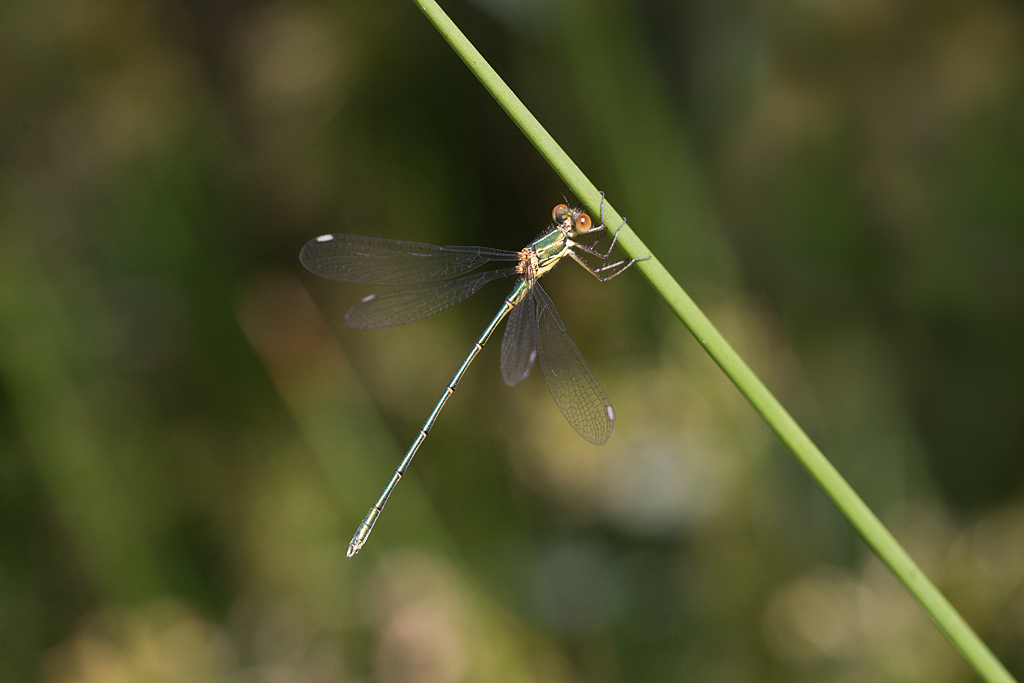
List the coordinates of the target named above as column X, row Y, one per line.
column 363, row 261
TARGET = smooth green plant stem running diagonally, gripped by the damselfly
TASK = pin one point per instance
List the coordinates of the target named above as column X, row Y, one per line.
column 781, row 422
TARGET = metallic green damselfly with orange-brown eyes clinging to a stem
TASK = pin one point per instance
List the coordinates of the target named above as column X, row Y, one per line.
column 432, row 279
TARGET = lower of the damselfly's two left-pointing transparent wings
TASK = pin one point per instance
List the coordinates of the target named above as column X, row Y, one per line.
column 386, row 310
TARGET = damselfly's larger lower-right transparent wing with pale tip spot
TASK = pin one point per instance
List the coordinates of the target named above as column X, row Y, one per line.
column 570, row 379
